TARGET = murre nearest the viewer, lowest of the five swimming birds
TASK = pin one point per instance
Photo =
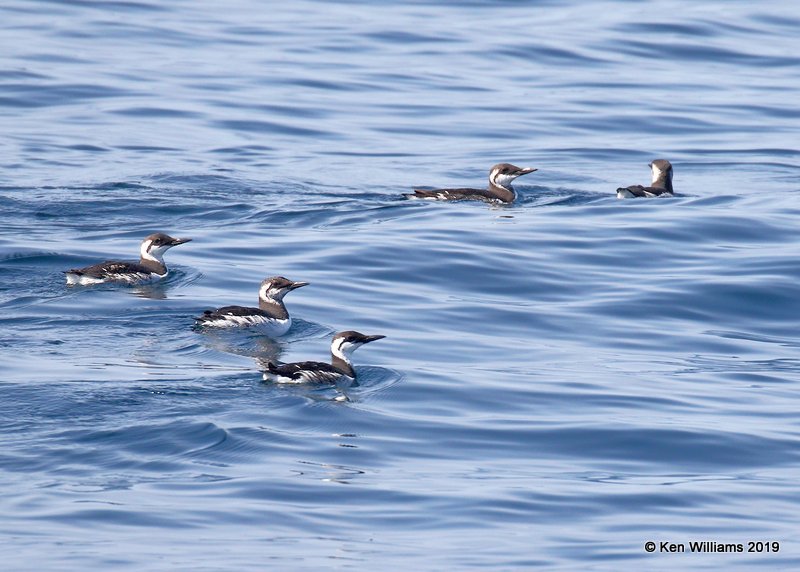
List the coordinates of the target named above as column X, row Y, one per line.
column 342, row 347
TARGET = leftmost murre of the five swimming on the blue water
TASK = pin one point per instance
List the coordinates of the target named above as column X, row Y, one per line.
column 150, row 266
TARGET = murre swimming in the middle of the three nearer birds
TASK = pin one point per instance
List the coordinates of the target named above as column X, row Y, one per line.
column 271, row 316
